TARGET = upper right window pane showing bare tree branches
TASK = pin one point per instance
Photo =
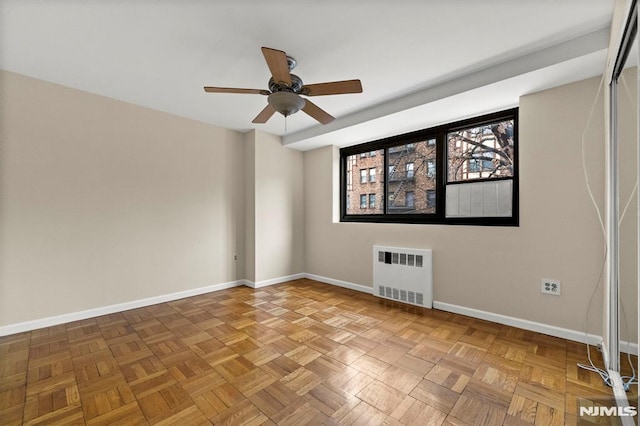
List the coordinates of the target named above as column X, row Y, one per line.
column 483, row 152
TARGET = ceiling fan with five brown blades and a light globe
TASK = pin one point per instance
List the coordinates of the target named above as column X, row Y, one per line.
column 285, row 90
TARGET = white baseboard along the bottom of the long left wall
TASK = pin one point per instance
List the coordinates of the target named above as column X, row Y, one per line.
column 106, row 310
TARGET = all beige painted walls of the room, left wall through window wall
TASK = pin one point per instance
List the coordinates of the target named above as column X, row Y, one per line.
column 103, row 202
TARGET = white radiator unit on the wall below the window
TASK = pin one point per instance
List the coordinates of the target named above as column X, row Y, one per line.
column 403, row 274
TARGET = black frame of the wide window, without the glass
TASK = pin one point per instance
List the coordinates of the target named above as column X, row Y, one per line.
column 439, row 133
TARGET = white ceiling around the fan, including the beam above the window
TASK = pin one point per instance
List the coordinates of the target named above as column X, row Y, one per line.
column 421, row 62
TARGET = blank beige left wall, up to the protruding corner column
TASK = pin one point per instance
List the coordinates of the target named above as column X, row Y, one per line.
column 103, row 202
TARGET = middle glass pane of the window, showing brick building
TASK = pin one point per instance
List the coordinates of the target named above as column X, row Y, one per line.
column 411, row 175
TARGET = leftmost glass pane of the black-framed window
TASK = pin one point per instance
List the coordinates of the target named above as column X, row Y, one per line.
column 366, row 188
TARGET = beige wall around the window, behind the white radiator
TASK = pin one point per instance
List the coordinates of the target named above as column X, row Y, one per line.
column 493, row 269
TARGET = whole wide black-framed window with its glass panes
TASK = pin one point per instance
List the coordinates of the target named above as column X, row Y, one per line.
column 459, row 173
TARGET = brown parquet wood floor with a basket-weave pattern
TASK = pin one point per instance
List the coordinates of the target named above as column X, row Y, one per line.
column 297, row 353
